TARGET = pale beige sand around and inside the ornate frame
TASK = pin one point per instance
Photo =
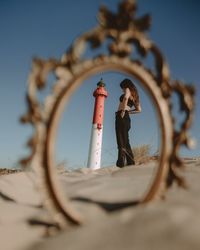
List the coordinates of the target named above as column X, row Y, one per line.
column 170, row 224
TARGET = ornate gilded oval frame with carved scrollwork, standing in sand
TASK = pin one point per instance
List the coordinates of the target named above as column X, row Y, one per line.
column 123, row 33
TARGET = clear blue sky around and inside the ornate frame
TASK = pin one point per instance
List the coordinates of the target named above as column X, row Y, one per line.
column 46, row 28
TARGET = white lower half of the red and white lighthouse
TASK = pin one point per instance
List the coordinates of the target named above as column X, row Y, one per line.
column 94, row 157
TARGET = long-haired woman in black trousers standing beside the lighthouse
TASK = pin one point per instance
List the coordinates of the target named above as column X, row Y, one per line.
column 128, row 100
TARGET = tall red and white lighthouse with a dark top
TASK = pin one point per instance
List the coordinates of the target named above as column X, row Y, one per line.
column 94, row 157
